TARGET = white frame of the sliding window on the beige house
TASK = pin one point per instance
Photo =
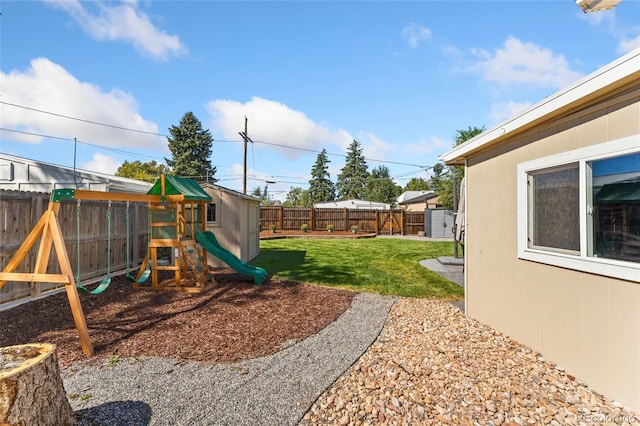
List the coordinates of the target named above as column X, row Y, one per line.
column 576, row 261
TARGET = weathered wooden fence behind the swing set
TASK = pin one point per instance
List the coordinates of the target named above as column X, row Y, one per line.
column 19, row 212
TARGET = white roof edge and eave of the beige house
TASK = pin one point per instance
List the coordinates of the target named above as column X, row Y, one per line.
column 605, row 79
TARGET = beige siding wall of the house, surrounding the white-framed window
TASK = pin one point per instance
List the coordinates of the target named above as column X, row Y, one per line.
column 588, row 324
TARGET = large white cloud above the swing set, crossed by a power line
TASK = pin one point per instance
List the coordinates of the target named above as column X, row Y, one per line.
column 48, row 87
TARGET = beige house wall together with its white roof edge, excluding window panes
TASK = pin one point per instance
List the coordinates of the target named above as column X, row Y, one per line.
column 586, row 322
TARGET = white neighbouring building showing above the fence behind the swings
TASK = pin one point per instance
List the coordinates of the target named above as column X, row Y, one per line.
column 62, row 176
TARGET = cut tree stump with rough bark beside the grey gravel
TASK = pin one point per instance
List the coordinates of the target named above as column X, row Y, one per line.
column 31, row 390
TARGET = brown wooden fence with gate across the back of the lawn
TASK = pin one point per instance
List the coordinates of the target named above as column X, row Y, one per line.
column 395, row 221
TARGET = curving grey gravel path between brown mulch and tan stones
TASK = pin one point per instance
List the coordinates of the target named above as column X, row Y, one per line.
column 273, row 390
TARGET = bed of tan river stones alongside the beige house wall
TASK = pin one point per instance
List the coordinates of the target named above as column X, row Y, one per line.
column 433, row 365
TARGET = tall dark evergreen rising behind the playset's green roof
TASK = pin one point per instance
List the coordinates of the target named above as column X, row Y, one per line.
column 190, row 148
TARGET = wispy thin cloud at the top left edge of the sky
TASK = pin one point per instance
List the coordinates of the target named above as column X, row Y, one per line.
column 123, row 22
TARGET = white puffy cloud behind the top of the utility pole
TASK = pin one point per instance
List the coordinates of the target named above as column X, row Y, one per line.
column 273, row 122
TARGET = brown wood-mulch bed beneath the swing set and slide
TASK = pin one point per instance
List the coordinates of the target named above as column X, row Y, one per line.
column 233, row 321
